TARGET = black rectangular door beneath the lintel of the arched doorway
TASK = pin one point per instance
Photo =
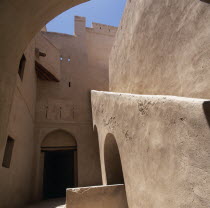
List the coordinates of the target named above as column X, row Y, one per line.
column 59, row 172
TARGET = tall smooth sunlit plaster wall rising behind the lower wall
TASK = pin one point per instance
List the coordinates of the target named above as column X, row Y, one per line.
column 162, row 48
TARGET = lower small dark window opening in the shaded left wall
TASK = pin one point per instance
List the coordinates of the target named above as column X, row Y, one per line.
column 8, row 152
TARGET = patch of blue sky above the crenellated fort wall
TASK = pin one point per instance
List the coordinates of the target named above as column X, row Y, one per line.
column 101, row 11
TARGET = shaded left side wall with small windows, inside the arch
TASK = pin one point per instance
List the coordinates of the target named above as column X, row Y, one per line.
column 16, row 181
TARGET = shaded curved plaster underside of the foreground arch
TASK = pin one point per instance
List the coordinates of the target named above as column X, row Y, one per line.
column 20, row 21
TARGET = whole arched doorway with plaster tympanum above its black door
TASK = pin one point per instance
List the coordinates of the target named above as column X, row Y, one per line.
column 60, row 163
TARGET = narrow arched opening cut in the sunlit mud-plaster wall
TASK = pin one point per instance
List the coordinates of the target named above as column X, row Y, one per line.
column 113, row 166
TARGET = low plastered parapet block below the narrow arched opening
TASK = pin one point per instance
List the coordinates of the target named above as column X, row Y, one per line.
column 97, row 197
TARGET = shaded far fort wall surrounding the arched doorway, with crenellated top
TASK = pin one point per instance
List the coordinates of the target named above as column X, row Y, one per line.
column 66, row 104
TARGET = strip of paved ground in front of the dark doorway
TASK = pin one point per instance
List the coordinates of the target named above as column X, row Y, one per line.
column 52, row 203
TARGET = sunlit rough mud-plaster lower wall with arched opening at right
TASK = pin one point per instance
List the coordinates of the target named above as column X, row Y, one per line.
column 164, row 145
